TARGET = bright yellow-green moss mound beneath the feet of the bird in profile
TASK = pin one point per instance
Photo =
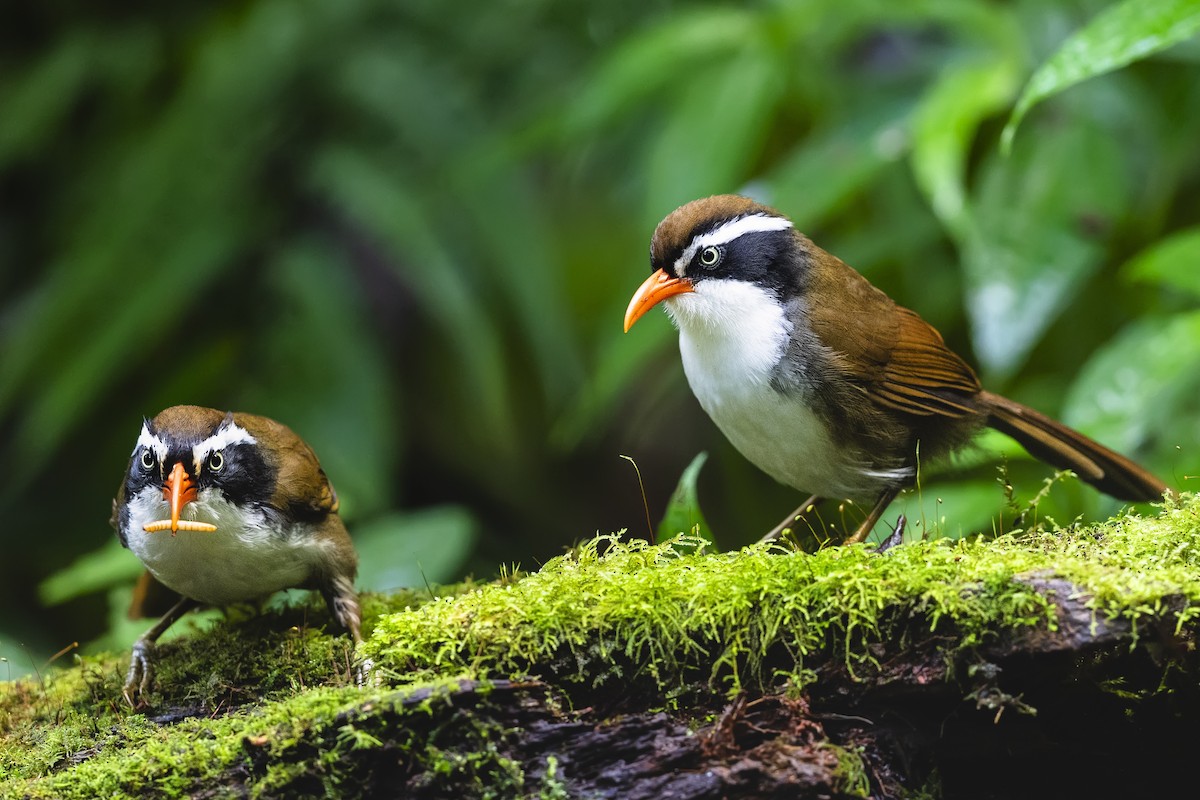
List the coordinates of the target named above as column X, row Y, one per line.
column 617, row 611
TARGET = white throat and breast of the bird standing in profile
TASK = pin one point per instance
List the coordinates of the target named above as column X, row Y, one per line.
column 733, row 336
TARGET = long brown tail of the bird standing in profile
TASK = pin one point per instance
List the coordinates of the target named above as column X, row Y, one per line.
column 1066, row 449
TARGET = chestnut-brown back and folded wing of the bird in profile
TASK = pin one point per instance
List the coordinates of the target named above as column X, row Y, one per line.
column 898, row 359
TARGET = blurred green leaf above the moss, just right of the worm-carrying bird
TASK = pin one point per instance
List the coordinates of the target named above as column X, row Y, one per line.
column 405, row 551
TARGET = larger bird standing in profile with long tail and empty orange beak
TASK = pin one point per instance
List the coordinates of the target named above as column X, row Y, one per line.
column 819, row 378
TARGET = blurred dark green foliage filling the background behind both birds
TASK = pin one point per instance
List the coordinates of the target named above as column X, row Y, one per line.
column 410, row 231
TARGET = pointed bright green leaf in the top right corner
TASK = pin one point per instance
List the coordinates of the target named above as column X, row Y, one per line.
column 1119, row 35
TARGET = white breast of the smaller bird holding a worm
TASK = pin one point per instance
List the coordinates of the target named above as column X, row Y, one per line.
column 244, row 560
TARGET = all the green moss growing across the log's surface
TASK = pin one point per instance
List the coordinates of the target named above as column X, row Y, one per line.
column 271, row 707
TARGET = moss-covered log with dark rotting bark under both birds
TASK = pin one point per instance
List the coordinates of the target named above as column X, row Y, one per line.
column 496, row 690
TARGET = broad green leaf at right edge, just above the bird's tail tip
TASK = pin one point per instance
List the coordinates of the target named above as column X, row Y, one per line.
column 1143, row 392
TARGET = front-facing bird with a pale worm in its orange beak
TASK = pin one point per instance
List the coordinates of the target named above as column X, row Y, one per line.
column 225, row 508
